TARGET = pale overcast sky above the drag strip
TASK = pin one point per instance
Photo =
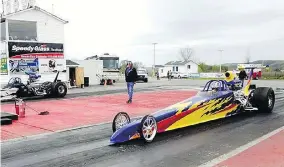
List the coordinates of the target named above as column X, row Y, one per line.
column 128, row 28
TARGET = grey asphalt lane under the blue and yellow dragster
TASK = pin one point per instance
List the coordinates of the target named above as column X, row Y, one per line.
column 190, row 146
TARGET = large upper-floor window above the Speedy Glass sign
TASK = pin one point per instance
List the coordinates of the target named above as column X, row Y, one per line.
column 22, row 30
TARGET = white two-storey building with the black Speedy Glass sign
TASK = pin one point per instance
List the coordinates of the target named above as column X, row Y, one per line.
column 32, row 39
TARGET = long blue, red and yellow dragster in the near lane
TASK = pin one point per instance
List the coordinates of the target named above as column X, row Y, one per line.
column 217, row 100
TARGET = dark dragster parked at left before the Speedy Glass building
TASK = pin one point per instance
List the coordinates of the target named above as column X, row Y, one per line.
column 17, row 89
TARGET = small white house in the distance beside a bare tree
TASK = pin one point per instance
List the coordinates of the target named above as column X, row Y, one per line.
column 185, row 67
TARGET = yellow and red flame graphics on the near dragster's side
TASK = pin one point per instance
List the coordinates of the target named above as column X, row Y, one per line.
column 198, row 113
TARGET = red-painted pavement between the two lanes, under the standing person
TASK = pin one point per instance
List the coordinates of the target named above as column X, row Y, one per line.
column 82, row 111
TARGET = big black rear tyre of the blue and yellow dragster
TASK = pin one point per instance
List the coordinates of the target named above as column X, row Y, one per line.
column 264, row 99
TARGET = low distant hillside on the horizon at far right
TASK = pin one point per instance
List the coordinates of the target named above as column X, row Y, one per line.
column 273, row 64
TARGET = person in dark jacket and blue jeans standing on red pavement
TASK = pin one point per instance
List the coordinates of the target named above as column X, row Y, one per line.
column 130, row 78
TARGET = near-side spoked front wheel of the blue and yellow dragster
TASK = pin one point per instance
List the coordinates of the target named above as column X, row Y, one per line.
column 149, row 128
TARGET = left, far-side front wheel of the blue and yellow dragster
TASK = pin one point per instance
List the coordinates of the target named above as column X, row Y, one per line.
column 121, row 119
